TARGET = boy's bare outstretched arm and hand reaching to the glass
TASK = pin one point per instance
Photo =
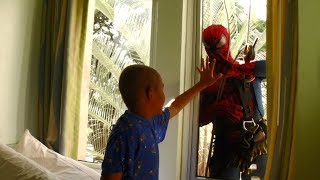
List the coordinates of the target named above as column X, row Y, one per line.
column 207, row 78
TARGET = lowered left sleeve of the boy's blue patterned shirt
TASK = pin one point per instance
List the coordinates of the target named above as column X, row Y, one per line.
column 120, row 152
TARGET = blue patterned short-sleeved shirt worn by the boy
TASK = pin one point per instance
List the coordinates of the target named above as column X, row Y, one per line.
column 132, row 147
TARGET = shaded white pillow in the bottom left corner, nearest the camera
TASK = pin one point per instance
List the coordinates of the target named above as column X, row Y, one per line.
column 14, row 166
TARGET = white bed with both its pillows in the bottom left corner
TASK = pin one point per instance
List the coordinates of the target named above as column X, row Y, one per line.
column 33, row 160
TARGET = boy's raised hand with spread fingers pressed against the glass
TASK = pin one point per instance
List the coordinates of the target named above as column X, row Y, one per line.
column 207, row 75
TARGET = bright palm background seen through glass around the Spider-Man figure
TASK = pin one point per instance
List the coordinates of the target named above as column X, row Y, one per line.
column 245, row 21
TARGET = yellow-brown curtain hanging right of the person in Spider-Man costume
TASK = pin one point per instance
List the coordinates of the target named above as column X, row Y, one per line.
column 282, row 48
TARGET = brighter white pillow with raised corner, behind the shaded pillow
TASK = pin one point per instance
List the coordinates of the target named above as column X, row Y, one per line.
column 61, row 166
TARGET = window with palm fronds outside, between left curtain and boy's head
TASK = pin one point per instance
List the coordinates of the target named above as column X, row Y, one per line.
column 121, row 37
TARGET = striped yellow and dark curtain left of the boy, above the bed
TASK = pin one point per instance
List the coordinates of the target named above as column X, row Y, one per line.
column 60, row 76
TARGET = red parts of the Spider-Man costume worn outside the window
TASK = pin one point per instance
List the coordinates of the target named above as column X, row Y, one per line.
column 229, row 105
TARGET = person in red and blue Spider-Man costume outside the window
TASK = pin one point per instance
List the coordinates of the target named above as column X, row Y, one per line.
column 221, row 103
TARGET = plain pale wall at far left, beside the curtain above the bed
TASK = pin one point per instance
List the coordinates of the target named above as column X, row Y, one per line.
column 19, row 57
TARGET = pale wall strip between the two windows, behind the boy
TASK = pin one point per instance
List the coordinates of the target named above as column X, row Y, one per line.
column 167, row 46
